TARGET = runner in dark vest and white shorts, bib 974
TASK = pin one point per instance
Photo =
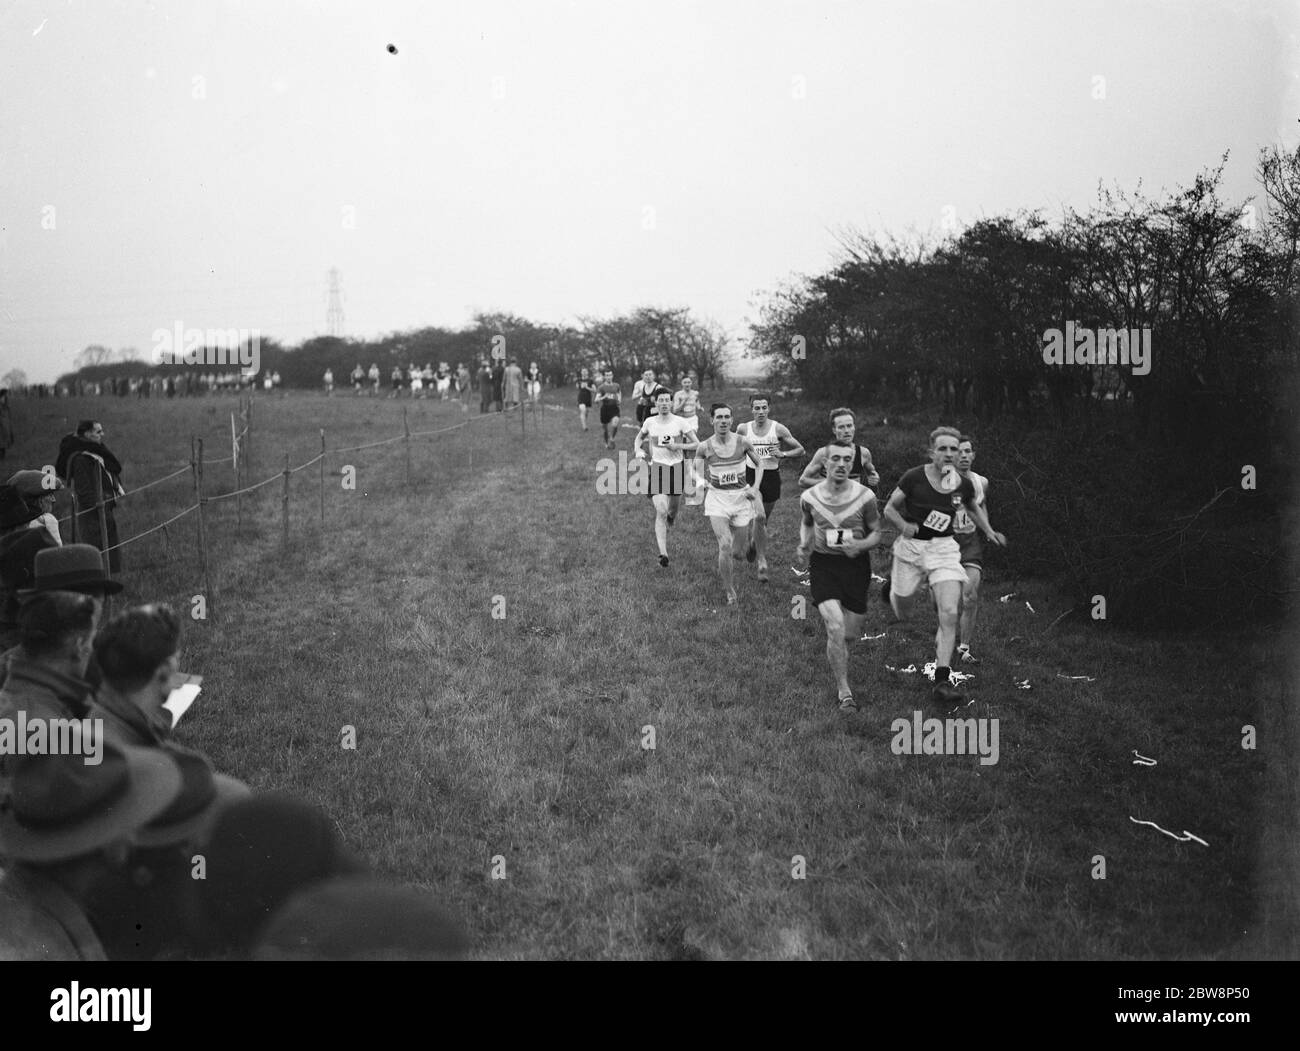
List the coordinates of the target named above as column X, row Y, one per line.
column 922, row 509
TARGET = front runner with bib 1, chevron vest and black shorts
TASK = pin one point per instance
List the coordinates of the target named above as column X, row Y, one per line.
column 839, row 527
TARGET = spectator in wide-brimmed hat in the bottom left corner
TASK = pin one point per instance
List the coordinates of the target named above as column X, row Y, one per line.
column 66, row 829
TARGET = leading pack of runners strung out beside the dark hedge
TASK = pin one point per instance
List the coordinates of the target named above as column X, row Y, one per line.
column 939, row 511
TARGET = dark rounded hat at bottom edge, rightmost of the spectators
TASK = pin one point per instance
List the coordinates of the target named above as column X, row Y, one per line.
column 361, row 919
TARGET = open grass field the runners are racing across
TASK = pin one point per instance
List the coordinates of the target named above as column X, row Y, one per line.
column 521, row 737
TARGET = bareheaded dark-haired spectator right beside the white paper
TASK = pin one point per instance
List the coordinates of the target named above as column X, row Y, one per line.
column 137, row 658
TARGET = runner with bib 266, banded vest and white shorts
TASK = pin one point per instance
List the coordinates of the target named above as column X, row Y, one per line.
column 730, row 504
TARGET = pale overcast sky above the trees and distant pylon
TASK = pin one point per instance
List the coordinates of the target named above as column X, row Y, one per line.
column 209, row 163
